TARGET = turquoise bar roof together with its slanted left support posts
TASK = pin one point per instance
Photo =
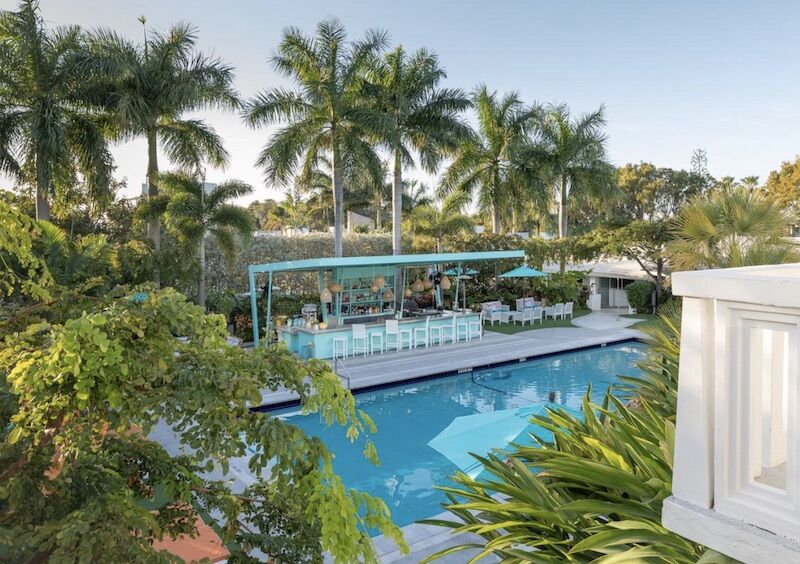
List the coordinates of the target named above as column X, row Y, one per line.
column 321, row 265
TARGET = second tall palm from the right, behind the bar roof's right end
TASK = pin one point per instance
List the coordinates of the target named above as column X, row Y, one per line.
column 490, row 162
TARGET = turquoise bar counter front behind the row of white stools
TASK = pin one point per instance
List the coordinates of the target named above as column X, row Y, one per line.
column 318, row 343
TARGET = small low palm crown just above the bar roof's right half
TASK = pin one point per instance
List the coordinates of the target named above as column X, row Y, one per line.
column 438, row 222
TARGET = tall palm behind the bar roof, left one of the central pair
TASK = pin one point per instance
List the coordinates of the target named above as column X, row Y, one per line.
column 326, row 116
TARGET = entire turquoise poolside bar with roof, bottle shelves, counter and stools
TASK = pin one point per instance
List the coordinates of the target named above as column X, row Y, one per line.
column 374, row 304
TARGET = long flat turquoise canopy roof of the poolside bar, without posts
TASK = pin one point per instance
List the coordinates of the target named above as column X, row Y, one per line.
column 382, row 260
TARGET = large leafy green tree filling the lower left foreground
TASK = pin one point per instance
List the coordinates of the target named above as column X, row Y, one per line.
column 85, row 378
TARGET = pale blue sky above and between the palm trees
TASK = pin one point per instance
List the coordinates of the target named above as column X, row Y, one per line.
column 673, row 75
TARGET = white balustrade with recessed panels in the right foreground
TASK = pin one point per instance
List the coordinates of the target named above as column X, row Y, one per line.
column 736, row 483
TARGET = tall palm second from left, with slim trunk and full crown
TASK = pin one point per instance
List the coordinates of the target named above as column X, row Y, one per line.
column 150, row 86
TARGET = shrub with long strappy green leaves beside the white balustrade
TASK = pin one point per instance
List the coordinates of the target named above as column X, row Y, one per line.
column 594, row 493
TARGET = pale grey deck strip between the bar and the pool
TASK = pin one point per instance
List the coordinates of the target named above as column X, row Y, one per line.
column 383, row 369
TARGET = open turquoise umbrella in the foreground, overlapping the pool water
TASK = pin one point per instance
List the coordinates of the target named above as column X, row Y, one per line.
column 482, row 432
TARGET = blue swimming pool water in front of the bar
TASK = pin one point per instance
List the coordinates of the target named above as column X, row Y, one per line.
column 410, row 415
